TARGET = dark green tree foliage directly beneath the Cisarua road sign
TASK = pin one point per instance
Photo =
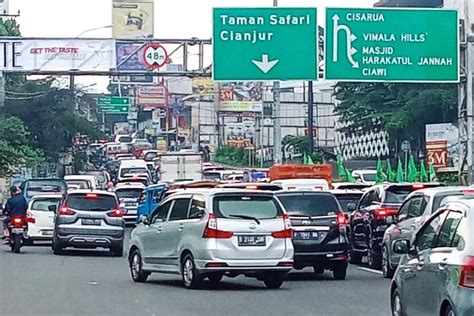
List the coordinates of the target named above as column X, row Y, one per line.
column 394, row 107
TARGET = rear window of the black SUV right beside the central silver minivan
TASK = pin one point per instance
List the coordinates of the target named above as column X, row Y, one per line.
column 310, row 204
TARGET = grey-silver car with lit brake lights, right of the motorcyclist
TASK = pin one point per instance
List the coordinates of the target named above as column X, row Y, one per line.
column 89, row 219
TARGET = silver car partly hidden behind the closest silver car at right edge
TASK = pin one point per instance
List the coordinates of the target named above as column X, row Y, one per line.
column 415, row 210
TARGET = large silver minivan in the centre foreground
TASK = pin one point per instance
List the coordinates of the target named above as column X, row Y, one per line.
column 209, row 233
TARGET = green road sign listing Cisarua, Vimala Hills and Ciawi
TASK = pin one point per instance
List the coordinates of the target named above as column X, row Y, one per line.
column 404, row 45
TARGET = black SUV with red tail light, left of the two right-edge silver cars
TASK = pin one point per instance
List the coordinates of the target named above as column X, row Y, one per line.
column 367, row 224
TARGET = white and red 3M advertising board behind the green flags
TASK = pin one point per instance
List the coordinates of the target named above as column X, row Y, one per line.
column 442, row 145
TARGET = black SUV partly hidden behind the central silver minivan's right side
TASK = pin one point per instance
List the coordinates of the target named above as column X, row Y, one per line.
column 319, row 231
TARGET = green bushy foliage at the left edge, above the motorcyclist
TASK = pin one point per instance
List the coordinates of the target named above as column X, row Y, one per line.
column 14, row 149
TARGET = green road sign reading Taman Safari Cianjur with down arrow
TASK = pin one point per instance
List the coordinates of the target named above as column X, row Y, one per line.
column 265, row 44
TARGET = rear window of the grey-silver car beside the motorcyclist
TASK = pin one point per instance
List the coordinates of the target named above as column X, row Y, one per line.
column 91, row 202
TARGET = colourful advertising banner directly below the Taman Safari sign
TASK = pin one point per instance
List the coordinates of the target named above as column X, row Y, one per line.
column 241, row 97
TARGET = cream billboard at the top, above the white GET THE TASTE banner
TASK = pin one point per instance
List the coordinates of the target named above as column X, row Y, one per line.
column 132, row 18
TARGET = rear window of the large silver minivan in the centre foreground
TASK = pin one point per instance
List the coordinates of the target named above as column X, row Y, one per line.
column 256, row 206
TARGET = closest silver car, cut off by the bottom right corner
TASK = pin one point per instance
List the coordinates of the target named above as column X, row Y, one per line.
column 436, row 273
